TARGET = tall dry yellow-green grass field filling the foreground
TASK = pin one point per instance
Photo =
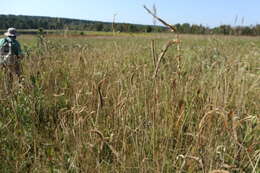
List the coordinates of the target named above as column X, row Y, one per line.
column 91, row 104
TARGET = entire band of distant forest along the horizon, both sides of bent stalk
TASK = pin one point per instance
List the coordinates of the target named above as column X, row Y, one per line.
column 51, row 23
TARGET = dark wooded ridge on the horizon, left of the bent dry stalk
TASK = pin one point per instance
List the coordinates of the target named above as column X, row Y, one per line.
column 52, row 23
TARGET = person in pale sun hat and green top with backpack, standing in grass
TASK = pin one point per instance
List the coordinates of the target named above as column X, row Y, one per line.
column 10, row 56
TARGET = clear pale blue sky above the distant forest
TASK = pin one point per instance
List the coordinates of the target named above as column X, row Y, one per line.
column 205, row 12
